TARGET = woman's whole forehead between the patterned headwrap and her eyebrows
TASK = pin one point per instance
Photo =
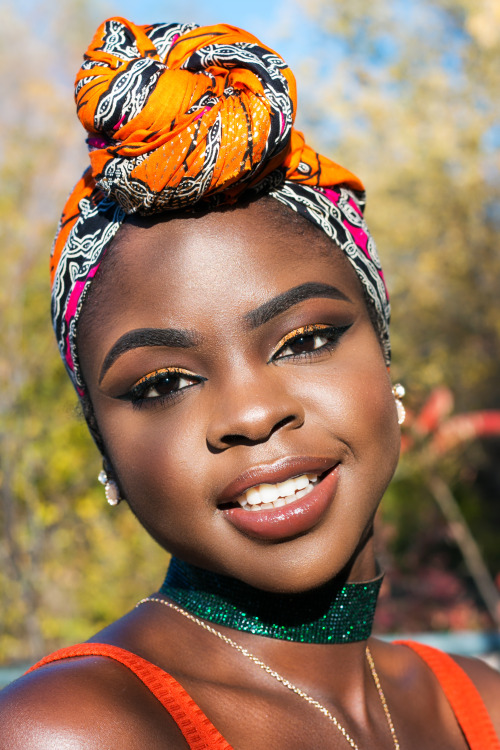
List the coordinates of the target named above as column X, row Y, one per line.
column 190, row 271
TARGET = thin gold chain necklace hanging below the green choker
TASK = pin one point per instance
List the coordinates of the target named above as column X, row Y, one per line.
column 286, row 683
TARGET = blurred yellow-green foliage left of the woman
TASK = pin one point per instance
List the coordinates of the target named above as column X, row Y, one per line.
column 61, row 551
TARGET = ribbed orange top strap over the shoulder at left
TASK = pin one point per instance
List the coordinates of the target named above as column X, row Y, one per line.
column 198, row 730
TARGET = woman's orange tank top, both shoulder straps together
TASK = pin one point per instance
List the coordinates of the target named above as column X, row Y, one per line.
column 200, row 733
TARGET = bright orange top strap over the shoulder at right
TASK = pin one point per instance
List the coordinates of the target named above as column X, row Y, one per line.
column 463, row 696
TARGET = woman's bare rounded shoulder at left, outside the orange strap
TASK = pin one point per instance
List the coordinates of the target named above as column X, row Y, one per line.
column 90, row 702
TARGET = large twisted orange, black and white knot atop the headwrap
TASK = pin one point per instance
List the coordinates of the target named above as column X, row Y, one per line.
column 175, row 113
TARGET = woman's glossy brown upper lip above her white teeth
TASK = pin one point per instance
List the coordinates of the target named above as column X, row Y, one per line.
column 278, row 471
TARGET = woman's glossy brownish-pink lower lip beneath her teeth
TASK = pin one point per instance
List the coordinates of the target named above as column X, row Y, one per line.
column 289, row 520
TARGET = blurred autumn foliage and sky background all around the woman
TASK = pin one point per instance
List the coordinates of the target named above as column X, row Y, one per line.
column 404, row 93
